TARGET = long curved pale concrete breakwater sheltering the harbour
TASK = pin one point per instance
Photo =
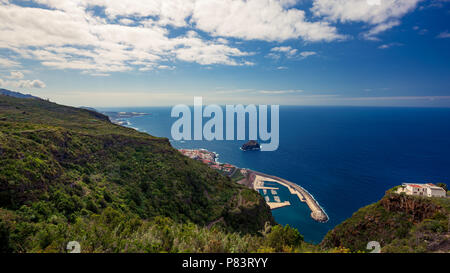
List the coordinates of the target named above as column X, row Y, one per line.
column 317, row 212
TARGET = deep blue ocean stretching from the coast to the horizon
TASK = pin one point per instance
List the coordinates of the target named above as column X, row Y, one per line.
column 346, row 157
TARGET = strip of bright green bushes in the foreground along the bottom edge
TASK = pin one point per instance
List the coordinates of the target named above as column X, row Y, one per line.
column 115, row 232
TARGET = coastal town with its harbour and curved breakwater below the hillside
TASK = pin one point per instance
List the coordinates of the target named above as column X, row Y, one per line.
column 258, row 181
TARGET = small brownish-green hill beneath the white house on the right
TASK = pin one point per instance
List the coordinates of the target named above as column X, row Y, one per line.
column 400, row 223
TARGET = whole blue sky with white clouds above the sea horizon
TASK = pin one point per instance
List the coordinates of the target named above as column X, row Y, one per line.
column 145, row 53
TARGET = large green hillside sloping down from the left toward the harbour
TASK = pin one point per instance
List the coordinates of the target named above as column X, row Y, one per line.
column 65, row 168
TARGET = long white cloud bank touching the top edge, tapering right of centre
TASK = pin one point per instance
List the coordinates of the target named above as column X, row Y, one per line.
column 247, row 19
